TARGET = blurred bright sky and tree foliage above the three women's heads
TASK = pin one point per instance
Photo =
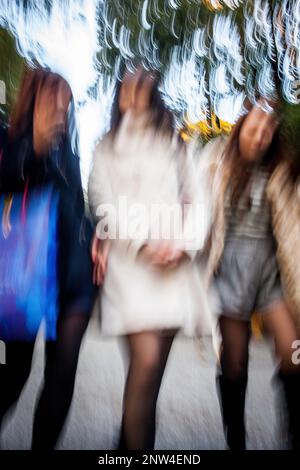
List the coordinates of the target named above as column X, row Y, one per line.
column 209, row 54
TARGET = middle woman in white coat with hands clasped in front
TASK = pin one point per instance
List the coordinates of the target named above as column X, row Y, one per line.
column 151, row 288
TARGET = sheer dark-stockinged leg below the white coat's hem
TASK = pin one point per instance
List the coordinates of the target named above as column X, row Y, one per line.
column 149, row 353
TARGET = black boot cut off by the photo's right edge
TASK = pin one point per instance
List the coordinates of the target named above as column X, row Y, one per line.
column 291, row 387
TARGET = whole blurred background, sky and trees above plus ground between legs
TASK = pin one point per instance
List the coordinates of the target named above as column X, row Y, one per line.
column 210, row 54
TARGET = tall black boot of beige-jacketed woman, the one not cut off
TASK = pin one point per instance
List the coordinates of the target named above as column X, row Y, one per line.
column 232, row 394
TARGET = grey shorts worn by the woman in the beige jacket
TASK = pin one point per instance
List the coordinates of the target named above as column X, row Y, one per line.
column 248, row 277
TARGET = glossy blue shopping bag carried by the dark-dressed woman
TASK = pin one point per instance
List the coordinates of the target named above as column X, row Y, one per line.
column 28, row 264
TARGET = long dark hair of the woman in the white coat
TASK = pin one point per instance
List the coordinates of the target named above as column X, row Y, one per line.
column 162, row 118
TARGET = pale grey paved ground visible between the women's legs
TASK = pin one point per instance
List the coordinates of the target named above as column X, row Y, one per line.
column 188, row 411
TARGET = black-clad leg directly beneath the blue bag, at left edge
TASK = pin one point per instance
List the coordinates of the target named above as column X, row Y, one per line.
column 14, row 373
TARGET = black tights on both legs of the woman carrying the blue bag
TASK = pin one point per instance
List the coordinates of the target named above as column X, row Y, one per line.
column 59, row 378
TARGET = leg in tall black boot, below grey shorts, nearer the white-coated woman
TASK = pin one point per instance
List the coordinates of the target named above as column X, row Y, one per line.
column 232, row 379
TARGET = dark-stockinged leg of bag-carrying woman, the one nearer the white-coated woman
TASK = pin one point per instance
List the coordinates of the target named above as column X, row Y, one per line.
column 60, row 372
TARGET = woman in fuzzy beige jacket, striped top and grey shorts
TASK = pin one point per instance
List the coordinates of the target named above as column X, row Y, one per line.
column 253, row 185
